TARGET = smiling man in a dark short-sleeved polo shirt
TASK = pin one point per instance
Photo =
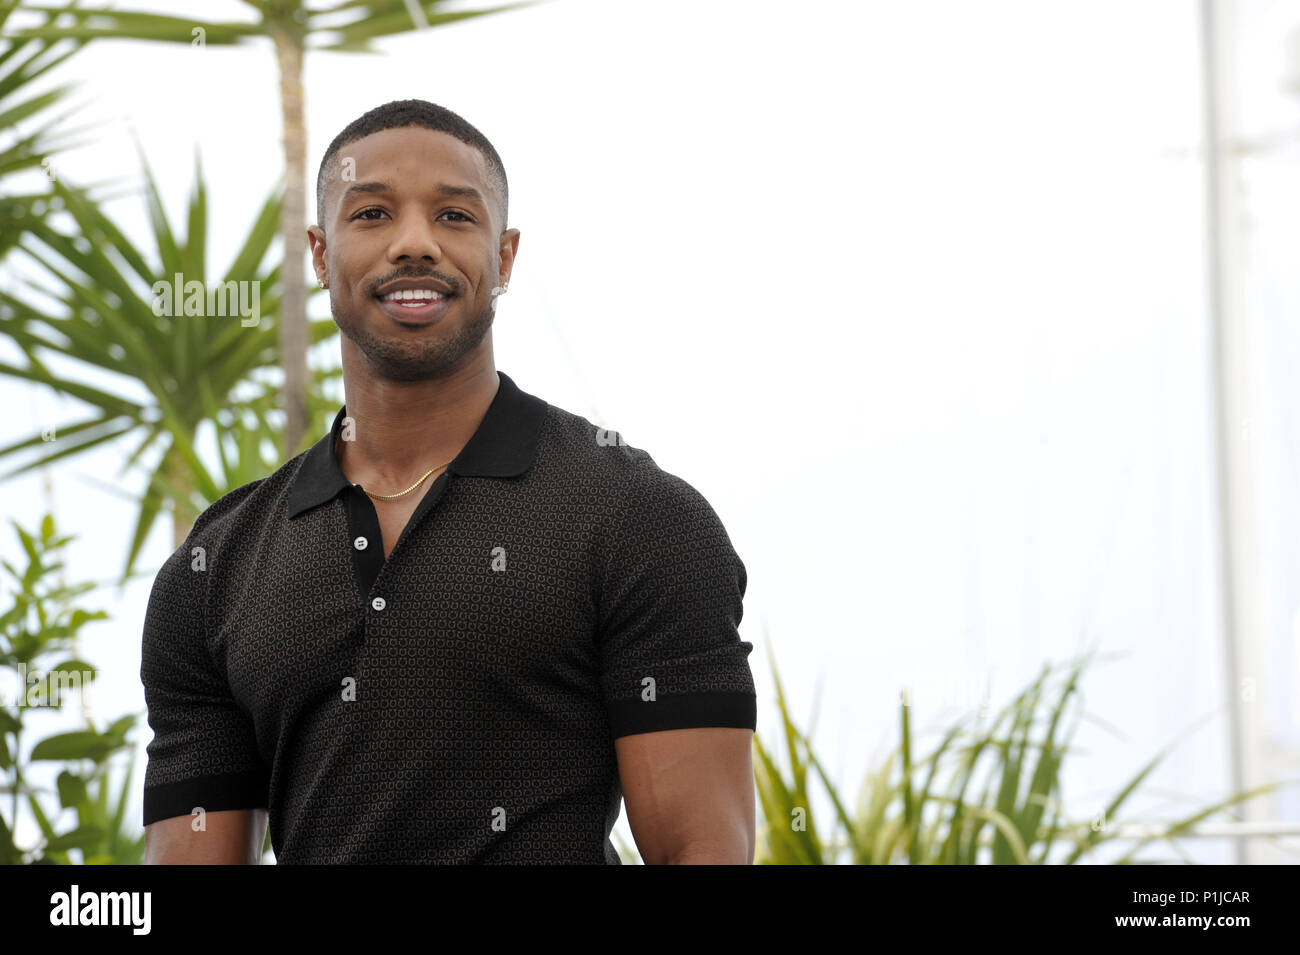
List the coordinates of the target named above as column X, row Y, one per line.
column 466, row 623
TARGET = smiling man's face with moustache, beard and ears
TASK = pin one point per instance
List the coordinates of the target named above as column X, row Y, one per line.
column 400, row 216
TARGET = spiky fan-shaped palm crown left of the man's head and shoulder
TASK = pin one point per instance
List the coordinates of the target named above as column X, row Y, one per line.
column 193, row 371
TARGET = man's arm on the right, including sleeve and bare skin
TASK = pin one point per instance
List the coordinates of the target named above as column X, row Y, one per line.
column 678, row 687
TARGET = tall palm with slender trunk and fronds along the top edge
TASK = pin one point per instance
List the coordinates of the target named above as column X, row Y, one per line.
column 293, row 27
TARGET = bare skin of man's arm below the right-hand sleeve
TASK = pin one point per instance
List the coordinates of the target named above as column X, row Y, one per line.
column 690, row 795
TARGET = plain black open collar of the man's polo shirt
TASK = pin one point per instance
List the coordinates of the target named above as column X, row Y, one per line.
column 504, row 446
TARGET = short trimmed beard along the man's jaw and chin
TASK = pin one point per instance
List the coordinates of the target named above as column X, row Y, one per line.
column 434, row 353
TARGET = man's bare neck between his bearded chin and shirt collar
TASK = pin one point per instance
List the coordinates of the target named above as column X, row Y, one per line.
column 402, row 429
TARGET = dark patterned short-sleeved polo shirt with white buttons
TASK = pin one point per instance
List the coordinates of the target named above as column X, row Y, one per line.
column 458, row 702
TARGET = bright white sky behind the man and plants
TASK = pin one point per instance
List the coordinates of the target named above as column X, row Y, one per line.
column 911, row 292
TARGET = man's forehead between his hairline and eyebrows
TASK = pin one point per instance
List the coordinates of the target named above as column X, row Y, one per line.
column 413, row 157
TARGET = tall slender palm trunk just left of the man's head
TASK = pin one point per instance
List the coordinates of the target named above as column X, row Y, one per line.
column 293, row 232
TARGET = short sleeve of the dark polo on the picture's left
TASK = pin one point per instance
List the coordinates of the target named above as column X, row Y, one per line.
column 203, row 753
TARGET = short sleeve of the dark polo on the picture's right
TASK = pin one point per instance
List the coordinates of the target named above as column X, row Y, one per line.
column 670, row 604
